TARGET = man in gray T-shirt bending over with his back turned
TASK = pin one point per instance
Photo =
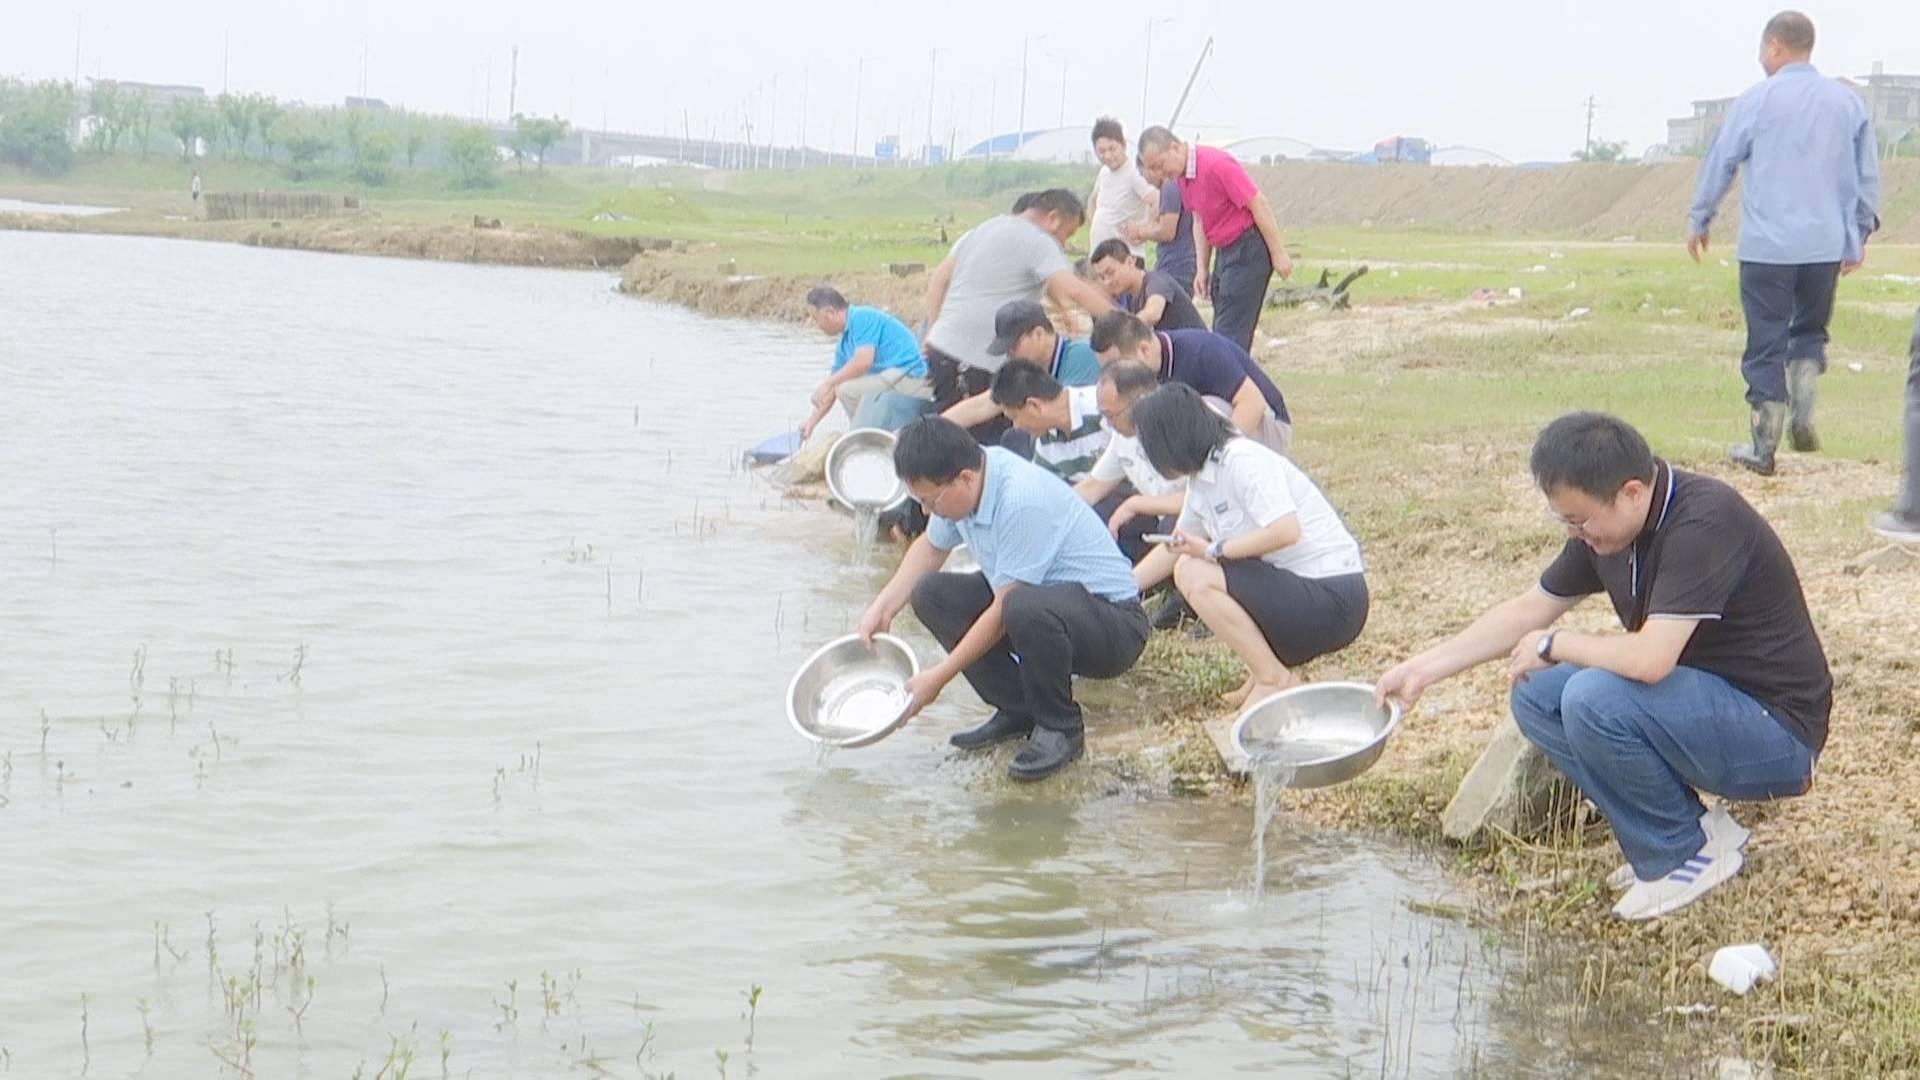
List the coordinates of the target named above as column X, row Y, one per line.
column 1017, row 257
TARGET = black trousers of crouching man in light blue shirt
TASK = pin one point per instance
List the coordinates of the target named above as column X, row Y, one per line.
column 1053, row 633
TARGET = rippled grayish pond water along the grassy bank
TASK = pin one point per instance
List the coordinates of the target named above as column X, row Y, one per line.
column 395, row 668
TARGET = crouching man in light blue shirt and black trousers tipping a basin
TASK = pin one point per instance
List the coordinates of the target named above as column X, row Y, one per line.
column 1053, row 591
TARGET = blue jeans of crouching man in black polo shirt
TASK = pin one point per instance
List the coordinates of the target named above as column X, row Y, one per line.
column 1641, row 752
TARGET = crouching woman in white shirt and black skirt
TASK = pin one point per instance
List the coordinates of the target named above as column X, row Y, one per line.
column 1259, row 552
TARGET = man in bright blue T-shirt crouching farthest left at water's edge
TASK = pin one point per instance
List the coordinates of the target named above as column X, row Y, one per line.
column 876, row 355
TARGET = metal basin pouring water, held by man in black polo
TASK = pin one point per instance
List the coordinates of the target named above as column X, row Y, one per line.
column 1328, row 733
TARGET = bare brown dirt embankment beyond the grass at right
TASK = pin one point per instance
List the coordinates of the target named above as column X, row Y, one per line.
column 1572, row 201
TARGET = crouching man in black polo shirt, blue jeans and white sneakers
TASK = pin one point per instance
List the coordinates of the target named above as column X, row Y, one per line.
column 1717, row 683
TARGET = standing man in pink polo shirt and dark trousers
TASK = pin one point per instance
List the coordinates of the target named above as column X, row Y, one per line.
column 1239, row 237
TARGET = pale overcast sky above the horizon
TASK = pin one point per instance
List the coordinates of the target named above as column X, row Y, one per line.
column 1506, row 76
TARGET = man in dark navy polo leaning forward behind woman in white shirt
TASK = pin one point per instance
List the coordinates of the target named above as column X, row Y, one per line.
column 1212, row 364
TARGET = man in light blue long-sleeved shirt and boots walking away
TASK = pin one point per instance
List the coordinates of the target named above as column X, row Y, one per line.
column 1806, row 212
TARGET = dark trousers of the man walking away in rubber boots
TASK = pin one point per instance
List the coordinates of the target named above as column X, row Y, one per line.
column 1788, row 310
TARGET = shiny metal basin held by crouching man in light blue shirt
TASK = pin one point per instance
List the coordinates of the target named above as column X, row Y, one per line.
column 848, row 695
